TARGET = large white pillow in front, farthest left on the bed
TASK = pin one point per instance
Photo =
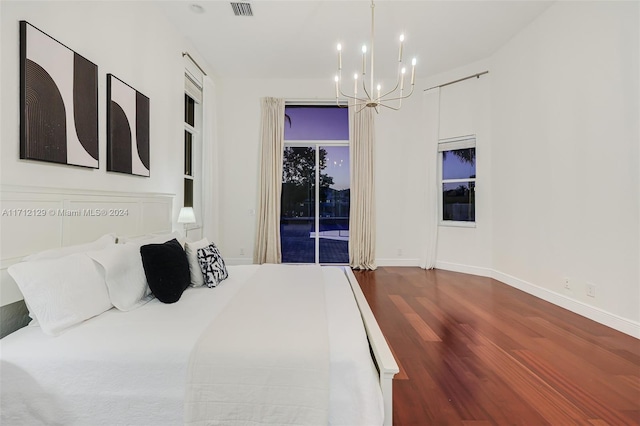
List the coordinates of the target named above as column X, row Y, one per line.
column 62, row 292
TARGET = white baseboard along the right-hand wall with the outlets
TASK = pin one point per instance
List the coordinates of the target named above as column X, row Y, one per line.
column 598, row 315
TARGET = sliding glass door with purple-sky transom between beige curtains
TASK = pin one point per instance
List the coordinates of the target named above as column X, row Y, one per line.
column 314, row 219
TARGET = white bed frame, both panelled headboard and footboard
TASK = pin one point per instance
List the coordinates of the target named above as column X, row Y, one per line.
column 146, row 213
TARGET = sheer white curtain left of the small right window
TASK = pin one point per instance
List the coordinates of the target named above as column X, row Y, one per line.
column 431, row 111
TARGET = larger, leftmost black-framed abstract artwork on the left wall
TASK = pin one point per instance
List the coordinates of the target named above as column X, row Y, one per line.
column 58, row 102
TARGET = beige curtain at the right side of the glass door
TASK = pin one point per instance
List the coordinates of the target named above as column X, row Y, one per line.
column 362, row 218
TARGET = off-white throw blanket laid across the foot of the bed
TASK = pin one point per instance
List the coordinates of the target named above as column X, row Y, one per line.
column 265, row 358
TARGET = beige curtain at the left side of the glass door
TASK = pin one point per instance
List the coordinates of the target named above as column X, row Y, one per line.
column 267, row 245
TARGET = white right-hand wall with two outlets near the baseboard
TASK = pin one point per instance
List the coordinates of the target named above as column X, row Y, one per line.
column 565, row 163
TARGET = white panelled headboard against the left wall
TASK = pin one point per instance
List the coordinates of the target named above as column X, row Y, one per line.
column 35, row 219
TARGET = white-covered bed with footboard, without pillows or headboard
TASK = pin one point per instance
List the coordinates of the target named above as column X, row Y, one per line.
column 141, row 366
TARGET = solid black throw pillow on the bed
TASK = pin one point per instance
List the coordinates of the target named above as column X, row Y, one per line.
column 167, row 270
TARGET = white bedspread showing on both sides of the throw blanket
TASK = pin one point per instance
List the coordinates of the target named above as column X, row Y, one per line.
column 130, row 367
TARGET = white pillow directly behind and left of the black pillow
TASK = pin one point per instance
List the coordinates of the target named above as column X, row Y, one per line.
column 124, row 275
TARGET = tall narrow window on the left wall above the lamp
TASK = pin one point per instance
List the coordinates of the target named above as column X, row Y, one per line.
column 192, row 143
